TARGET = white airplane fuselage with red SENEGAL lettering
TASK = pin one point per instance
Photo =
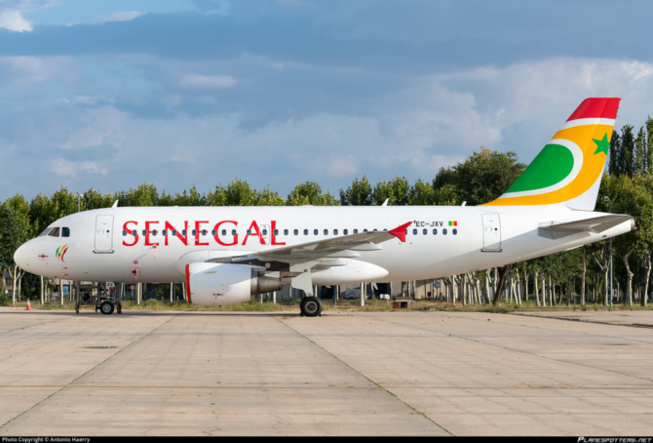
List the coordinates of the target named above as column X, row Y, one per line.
column 137, row 244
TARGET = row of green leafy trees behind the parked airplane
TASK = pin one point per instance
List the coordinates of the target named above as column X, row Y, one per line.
column 579, row 276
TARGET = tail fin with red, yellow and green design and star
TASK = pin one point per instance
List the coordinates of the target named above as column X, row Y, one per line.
column 569, row 168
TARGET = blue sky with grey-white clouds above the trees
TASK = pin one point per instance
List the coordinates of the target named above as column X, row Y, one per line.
column 110, row 94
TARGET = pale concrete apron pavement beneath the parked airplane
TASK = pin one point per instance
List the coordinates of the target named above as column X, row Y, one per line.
column 394, row 373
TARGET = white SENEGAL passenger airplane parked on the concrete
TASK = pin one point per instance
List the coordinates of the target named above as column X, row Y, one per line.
column 226, row 255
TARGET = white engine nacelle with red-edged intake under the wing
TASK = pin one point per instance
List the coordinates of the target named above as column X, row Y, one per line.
column 215, row 284
